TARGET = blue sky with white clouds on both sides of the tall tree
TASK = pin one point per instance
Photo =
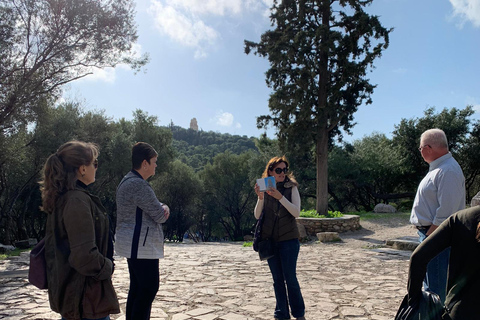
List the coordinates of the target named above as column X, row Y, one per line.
column 198, row 67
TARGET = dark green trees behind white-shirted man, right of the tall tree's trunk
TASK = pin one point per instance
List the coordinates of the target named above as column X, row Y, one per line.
column 376, row 169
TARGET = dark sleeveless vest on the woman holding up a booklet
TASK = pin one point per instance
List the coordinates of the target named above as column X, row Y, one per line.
column 285, row 225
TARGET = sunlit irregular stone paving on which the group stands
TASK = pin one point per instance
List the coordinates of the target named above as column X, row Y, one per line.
column 225, row 281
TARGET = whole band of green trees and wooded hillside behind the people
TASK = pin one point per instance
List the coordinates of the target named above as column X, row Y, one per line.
column 209, row 188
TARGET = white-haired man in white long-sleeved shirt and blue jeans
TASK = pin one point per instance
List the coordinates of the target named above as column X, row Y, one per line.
column 440, row 194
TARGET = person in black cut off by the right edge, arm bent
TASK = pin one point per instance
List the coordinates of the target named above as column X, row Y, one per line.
column 461, row 232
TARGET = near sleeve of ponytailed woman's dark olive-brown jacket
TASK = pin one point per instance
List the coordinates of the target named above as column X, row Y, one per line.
column 84, row 254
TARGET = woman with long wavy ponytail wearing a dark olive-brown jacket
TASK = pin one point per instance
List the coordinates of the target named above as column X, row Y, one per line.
column 77, row 236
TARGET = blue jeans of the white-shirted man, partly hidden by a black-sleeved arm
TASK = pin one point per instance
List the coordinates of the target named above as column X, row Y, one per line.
column 436, row 276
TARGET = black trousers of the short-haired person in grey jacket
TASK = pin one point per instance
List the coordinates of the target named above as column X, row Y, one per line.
column 144, row 283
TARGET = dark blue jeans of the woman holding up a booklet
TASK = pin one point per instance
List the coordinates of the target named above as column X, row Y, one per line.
column 283, row 266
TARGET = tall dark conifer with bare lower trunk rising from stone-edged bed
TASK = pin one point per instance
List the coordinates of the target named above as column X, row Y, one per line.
column 319, row 58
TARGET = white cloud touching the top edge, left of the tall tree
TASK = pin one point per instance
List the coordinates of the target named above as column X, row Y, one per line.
column 185, row 21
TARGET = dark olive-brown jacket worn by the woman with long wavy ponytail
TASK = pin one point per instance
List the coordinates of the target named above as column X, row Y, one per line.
column 78, row 271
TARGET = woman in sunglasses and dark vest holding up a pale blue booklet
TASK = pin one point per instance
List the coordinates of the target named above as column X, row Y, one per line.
column 281, row 206
